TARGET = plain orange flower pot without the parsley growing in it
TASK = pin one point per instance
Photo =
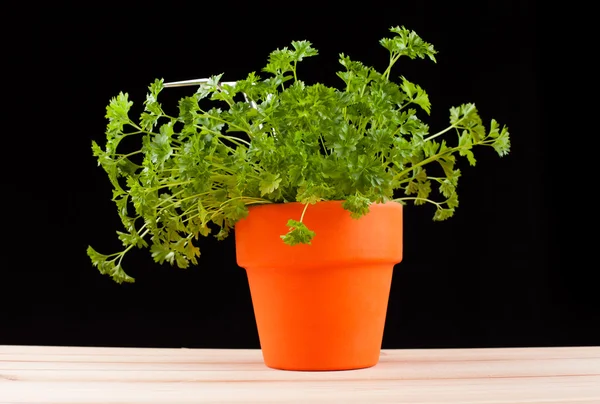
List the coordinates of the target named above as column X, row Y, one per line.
column 320, row 306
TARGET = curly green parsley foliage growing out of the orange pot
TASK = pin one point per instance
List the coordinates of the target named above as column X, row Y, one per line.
column 277, row 140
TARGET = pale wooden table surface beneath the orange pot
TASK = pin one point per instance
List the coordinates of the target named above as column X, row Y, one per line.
column 33, row 374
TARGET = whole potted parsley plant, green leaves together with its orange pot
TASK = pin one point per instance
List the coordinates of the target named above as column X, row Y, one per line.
column 312, row 180
